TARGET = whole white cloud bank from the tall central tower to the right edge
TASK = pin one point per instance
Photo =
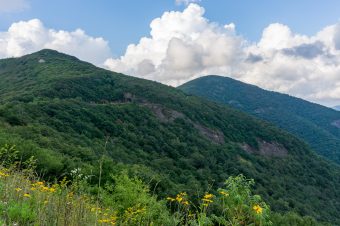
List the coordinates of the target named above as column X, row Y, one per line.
column 185, row 45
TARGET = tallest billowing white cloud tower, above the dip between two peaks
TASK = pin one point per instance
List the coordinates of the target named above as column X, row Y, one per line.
column 182, row 45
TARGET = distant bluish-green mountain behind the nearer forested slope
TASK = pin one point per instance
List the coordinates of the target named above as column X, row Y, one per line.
column 317, row 125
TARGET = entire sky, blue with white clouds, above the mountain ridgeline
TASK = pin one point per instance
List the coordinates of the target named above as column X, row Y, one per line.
column 284, row 45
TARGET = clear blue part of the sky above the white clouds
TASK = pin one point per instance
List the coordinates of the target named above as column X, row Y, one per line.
column 122, row 22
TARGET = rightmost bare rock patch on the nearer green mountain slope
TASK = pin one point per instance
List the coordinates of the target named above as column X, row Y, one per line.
column 266, row 149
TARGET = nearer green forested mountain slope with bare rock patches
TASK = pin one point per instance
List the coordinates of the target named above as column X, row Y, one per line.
column 70, row 114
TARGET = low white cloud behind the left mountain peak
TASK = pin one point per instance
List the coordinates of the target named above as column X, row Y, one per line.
column 29, row 36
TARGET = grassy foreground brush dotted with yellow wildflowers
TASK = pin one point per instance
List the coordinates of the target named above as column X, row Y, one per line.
column 28, row 200
